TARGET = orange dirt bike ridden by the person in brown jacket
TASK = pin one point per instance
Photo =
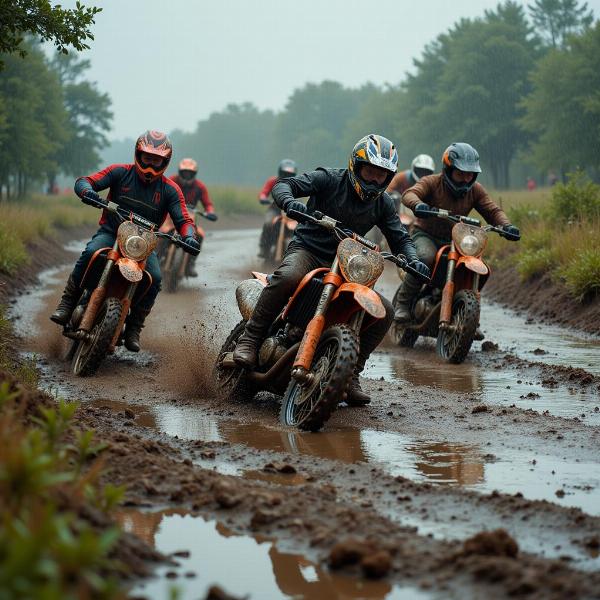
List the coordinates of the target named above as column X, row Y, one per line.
column 448, row 307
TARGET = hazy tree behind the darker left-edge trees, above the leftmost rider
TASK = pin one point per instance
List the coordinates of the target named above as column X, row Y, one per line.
column 89, row 118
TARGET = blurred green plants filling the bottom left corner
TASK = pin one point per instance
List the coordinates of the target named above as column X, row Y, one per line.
column 48, row 549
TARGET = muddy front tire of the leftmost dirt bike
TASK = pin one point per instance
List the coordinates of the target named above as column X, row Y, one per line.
column 89, row 354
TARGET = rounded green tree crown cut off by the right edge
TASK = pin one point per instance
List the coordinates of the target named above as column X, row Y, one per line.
column 563, row 113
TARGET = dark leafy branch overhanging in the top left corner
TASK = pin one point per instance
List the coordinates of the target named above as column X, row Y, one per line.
column 65, row 27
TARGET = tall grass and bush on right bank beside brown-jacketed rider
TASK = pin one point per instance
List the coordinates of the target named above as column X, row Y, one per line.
column 560, row 229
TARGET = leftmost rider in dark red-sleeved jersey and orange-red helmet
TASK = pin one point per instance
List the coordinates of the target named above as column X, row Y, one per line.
column 143, row 188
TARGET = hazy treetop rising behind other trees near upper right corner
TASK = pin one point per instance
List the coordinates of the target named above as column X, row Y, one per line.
column 558, row 19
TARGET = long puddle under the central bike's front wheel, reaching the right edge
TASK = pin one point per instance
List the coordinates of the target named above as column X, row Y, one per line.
column 538, row 477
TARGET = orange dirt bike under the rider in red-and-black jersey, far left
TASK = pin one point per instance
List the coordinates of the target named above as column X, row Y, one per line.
column 114, row 280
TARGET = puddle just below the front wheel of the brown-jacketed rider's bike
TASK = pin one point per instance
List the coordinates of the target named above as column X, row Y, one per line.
column 421, row 367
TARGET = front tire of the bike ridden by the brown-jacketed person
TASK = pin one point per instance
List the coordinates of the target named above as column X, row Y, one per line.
column 454, row 345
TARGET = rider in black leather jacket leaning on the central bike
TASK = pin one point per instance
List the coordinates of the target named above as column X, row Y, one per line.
column 356, row 197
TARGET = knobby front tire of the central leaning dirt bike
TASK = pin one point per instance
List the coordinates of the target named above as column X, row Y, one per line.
column 309, row 407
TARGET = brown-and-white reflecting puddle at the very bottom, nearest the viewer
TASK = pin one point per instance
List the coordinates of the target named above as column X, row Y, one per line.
column 244, row 566
